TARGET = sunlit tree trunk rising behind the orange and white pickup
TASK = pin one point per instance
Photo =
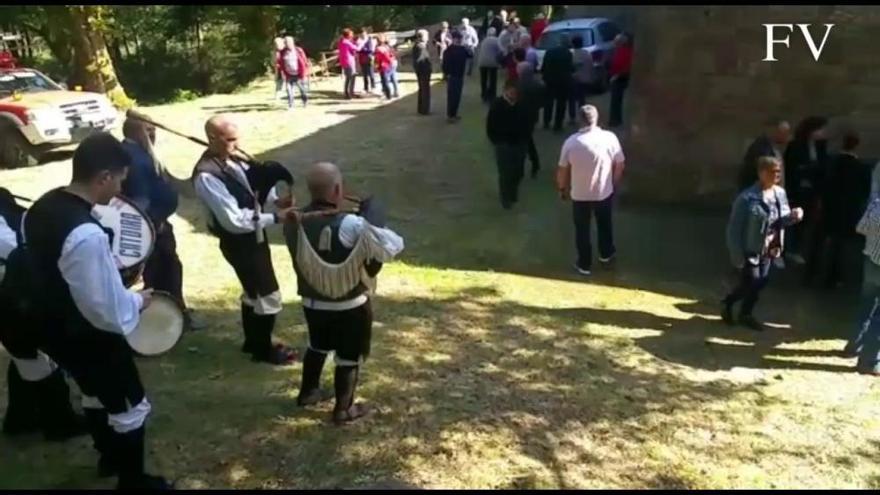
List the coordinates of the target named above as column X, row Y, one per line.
column 95, row 67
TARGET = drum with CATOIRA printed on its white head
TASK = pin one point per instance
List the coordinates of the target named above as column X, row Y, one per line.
column 133, row 236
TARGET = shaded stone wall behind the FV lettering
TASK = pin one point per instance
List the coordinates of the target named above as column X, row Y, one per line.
column 700, row 91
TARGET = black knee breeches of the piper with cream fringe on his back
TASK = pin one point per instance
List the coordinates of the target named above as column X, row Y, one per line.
column 347, row 333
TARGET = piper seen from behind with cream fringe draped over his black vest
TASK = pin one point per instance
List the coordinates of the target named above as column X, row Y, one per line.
column 336, row 256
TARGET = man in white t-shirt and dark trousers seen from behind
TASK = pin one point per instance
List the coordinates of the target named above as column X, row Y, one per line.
column 590, row 167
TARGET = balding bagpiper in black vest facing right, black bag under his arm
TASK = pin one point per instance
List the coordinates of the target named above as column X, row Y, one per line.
column 235, row 216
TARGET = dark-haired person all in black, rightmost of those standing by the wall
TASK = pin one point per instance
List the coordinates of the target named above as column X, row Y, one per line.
column 844, row 196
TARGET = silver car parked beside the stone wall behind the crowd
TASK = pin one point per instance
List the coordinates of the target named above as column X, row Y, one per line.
column 598, row 34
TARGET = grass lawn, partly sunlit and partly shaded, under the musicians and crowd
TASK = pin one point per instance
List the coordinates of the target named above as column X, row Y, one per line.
column 492, row 366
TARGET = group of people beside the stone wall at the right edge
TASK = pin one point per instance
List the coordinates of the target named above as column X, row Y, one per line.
column 801, row 203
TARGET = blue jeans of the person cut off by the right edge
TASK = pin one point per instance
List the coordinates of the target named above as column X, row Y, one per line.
column 866, row 341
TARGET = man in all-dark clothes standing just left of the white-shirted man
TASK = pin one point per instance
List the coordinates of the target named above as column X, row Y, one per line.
column 507, row 126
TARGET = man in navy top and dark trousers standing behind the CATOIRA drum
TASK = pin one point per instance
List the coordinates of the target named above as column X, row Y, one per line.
column 148, row 186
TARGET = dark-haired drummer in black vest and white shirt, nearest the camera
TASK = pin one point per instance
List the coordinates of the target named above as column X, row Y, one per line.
column 88, row 309
